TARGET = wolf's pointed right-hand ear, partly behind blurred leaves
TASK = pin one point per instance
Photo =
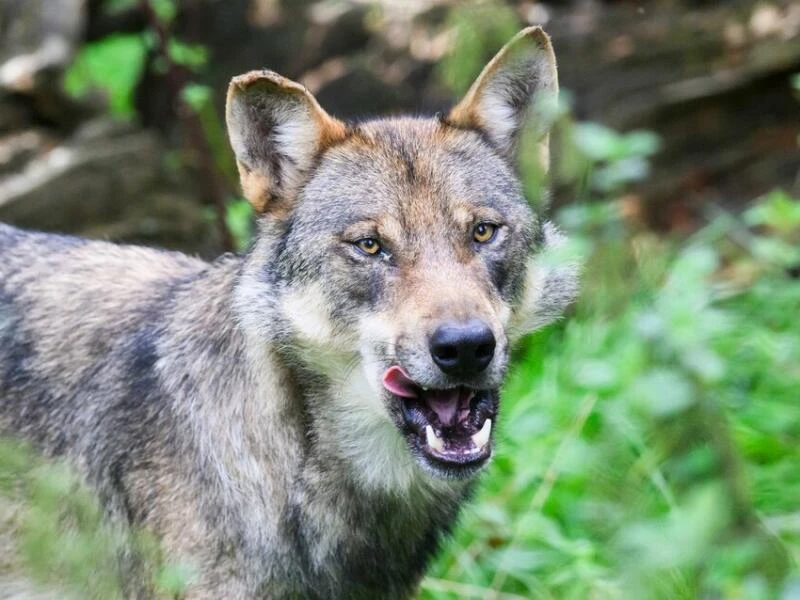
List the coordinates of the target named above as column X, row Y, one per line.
column 520, row 81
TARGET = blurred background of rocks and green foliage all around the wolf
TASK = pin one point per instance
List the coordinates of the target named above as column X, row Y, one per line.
column 650, row 446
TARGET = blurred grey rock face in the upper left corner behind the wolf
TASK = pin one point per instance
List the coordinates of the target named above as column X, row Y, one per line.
column 62, row 167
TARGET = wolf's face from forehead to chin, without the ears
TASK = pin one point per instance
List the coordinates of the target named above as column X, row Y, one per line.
column 415, row 235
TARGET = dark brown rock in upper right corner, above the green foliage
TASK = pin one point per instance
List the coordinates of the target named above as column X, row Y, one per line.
column 712, row 81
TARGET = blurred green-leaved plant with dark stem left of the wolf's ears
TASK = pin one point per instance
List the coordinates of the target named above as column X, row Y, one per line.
column 115, row 65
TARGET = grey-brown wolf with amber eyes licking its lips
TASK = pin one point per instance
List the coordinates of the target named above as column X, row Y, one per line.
column 304, row 420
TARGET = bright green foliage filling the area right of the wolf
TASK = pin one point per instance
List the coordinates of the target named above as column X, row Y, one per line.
column 650, row 443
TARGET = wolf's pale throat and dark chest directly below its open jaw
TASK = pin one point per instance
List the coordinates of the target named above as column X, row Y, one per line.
column 360, row 497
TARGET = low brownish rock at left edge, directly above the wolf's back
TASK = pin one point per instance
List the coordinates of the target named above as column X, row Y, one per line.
column 107, row 181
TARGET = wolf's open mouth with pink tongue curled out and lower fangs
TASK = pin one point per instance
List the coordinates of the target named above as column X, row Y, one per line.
column 451, row 427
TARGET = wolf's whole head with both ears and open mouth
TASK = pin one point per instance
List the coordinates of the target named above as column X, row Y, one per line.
column 401, row 250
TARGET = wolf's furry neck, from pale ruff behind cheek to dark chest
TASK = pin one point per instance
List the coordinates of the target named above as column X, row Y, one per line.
column 314, row 455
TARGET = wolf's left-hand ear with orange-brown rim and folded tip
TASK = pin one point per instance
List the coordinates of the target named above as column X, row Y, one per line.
column 276, row 128
